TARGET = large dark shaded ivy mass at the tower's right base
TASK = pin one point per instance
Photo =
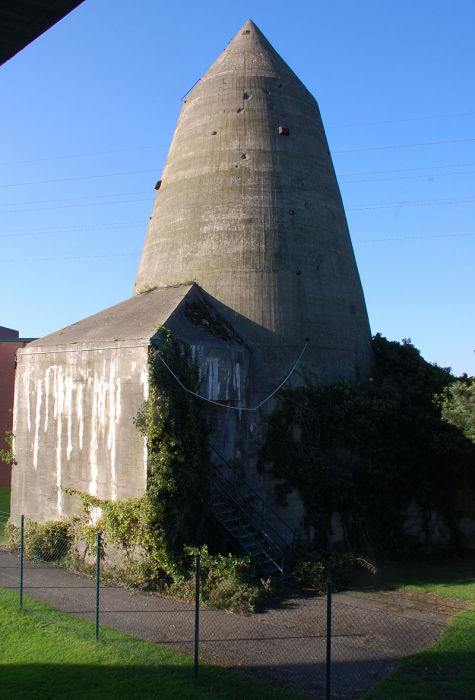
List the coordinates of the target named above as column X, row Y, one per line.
column 369, row 449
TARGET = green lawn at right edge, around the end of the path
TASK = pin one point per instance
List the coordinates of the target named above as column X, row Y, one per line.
column 447, row 668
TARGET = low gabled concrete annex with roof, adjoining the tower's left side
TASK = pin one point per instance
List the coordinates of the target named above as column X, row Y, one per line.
column 79, row 390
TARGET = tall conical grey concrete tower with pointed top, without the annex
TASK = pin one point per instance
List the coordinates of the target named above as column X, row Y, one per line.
column 249, row 208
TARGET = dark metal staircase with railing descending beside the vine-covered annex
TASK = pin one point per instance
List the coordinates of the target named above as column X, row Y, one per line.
column 250, row 521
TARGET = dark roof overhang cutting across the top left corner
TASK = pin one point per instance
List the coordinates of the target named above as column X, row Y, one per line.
column 22, row 21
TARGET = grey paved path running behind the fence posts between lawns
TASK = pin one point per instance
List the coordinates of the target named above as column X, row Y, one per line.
column 285, row 644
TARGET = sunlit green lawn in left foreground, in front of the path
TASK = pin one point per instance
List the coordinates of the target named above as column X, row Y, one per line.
column 45, row 653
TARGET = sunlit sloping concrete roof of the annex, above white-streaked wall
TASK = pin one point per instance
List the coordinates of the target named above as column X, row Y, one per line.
column 133, row 319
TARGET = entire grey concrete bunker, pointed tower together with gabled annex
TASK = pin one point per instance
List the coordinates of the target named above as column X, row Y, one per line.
column 248, row 258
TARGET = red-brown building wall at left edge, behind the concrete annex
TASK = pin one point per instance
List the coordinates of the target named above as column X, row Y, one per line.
column 9, row 344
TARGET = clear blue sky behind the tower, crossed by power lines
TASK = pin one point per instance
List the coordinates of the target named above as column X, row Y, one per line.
column 89, row 110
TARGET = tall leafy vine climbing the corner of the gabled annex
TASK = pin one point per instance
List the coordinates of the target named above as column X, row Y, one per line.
column 177, row 433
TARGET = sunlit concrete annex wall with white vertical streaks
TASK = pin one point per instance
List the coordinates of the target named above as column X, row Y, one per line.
column 74, row 426
